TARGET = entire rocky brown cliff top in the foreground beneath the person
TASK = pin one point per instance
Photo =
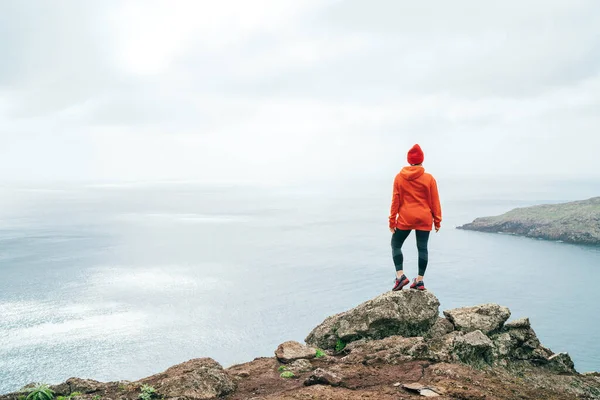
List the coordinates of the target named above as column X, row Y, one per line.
column 394, row 346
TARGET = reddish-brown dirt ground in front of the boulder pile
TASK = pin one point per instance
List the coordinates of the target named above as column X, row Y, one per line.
column 260, row 379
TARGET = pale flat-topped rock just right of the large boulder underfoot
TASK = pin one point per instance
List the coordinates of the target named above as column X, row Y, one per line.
column 485, row 318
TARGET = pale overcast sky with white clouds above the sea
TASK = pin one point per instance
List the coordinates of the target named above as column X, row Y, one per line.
column 275, row 91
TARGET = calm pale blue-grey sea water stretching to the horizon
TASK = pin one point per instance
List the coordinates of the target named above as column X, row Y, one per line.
column 120, row 282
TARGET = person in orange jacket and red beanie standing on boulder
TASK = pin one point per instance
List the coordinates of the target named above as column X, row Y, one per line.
column 415, row 206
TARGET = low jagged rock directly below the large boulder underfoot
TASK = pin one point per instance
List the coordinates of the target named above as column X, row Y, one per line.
column 391, row 350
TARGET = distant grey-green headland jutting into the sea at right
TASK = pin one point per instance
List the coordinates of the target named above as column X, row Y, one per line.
column 576, row 222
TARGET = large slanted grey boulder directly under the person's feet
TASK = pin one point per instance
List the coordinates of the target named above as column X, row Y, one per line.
column 405, row 313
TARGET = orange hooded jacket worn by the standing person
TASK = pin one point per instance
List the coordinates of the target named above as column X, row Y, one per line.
column 415, row 202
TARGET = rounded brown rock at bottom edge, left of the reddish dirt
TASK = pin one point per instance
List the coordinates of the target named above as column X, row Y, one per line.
column 198, row 379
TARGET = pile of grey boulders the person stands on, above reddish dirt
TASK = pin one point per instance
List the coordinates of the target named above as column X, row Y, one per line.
column 472, row 335
